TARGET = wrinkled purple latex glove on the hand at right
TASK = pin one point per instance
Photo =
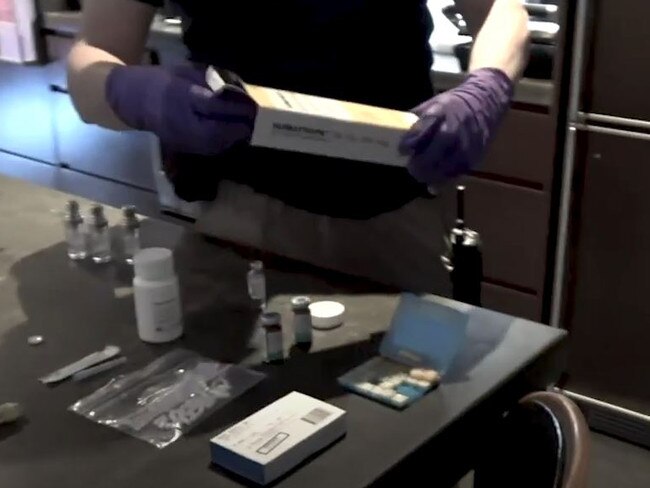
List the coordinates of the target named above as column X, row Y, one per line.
column 455, row 127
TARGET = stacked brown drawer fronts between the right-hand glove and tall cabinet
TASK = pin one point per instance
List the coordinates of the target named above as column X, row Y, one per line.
column 509, row 204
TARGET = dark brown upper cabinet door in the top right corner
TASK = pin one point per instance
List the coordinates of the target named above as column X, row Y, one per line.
column 618, row 60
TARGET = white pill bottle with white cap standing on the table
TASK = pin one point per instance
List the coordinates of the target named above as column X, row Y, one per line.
column 157, row 296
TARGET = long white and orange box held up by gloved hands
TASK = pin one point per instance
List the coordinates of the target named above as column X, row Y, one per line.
column 309, row 124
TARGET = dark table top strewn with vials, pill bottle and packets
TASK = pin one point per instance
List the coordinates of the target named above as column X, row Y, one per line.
column 81, row 308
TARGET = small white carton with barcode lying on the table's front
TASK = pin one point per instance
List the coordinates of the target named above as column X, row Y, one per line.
column 277, row 438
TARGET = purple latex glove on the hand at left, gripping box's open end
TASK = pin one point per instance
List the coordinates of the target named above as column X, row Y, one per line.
column 180, row 109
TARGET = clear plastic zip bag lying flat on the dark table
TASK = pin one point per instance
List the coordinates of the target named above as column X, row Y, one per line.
column 167, row 398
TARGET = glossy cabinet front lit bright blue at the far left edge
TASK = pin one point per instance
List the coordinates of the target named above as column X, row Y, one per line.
column 25, row 112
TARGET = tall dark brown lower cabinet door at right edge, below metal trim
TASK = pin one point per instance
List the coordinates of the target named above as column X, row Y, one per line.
column 609, row 321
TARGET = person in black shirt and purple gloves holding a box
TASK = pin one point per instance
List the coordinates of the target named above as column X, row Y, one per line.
column 361, row 218
